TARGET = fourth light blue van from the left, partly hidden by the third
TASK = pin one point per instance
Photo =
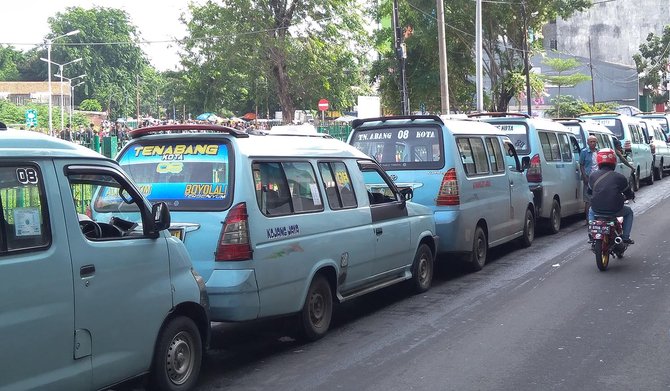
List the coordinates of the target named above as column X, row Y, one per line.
column 553, row 175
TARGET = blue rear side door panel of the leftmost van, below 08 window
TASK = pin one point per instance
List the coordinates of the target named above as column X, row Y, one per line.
column 37, row 339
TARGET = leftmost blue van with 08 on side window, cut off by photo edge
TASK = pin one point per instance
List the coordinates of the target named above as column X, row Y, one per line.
column 93, row 288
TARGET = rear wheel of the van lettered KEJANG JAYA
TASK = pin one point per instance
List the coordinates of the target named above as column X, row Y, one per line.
column 317, row 311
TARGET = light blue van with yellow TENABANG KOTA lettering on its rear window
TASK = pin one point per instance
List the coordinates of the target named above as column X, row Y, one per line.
column 282, row 225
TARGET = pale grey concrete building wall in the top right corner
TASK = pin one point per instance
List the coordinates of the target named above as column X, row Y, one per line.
column 616, row 29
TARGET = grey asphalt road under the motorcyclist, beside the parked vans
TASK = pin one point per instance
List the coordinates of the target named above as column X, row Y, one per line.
column 542, row 318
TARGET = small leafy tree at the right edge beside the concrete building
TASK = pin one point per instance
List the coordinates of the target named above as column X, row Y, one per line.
column 652, row 63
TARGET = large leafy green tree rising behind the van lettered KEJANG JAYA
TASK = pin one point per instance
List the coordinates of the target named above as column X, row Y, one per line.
column 296, row 51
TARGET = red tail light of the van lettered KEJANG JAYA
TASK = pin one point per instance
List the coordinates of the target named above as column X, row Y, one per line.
column 234, row 239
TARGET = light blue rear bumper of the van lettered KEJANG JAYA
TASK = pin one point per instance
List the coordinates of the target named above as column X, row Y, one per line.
column 233, row 295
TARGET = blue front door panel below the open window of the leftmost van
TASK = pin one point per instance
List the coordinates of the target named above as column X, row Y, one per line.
column 106, row 283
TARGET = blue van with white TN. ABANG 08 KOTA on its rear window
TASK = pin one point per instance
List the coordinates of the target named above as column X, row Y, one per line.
column 466, row 171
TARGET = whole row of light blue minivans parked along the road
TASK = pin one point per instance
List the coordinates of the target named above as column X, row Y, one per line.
column 258, row 226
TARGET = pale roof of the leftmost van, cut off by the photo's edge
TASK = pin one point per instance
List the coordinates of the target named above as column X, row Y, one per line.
column 25, row 143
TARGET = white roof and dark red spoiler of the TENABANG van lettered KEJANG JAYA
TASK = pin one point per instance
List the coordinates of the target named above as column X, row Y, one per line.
column 269, row 146
